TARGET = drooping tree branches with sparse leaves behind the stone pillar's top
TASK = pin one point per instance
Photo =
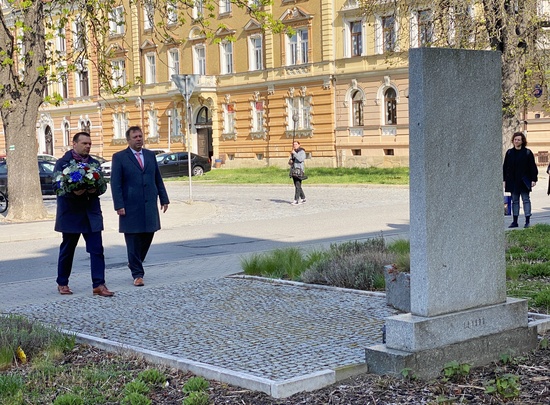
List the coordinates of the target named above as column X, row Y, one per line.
column 516, row 28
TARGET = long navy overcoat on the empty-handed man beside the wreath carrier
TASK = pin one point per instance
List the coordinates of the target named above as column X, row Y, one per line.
column 137, row 191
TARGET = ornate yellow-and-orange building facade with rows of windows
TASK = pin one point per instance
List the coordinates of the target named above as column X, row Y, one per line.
column 331, row 84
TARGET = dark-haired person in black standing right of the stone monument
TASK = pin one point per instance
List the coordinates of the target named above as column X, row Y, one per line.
column 520, row 176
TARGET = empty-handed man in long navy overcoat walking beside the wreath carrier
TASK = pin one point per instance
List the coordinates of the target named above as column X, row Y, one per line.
column 136, row 185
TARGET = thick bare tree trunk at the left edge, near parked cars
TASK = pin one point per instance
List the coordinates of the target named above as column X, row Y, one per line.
column 21, row 95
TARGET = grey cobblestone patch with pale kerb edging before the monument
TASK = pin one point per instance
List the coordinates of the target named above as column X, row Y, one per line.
column 268, row 330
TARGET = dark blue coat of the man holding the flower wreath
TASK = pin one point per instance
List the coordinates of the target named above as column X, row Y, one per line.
column 77, row 214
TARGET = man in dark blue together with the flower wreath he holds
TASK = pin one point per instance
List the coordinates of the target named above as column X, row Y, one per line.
column 79, row 183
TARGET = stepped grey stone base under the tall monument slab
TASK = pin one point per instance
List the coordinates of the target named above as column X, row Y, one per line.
column 477, row 336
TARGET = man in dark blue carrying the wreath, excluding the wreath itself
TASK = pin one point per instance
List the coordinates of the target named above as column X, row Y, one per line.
column 79, row 212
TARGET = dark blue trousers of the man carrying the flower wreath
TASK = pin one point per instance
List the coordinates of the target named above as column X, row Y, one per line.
column 94, row 246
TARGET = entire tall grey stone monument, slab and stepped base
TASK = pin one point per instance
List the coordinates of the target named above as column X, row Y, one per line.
column 459, row 308
